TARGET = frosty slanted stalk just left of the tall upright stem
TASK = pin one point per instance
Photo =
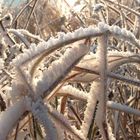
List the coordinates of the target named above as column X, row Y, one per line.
column 90, row 109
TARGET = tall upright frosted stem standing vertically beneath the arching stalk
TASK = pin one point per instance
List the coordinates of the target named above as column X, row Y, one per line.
column 102, row 58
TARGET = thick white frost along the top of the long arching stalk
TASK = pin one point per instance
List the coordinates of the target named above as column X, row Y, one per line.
column 77, row 34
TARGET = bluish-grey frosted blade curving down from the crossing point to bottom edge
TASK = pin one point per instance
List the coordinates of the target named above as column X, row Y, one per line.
column 41, row 114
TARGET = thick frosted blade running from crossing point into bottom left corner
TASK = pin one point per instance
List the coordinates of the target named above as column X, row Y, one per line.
column 10, row 117
